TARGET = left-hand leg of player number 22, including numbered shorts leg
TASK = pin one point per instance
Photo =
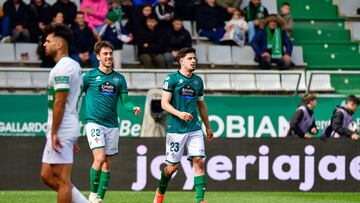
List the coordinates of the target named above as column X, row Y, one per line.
column 95, row 136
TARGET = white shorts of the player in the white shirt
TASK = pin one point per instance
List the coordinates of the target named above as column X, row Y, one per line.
column 66, row 153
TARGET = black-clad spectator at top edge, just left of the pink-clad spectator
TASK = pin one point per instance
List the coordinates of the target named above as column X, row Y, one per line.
column 66, row 7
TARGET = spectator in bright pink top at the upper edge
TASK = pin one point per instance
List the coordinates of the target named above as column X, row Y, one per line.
column 95, row 13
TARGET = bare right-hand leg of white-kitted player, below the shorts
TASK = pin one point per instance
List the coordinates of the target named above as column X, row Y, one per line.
column 62, row 173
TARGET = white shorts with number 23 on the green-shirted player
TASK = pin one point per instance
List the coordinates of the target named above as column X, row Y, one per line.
column 175, row 145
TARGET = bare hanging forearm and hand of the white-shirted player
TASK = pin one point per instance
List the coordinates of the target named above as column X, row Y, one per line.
column 58, row 114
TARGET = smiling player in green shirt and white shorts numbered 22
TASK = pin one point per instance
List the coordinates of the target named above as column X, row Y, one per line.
column 103, row 88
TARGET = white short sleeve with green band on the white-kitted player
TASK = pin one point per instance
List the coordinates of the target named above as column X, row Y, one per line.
column 62, row 79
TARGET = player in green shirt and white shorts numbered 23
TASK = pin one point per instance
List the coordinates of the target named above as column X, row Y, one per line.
column 182, row 98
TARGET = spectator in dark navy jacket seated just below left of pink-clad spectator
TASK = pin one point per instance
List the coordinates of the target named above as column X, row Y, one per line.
column 82, row 49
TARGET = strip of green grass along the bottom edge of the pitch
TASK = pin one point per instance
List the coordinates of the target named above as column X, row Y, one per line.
column 184, row 197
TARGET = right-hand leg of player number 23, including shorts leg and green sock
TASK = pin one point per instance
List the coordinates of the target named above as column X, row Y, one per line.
column 196, row 150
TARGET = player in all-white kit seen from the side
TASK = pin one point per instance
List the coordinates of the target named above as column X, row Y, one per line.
column 64, row 89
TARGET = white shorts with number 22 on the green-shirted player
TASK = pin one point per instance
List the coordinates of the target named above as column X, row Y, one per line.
column 103, row 137
